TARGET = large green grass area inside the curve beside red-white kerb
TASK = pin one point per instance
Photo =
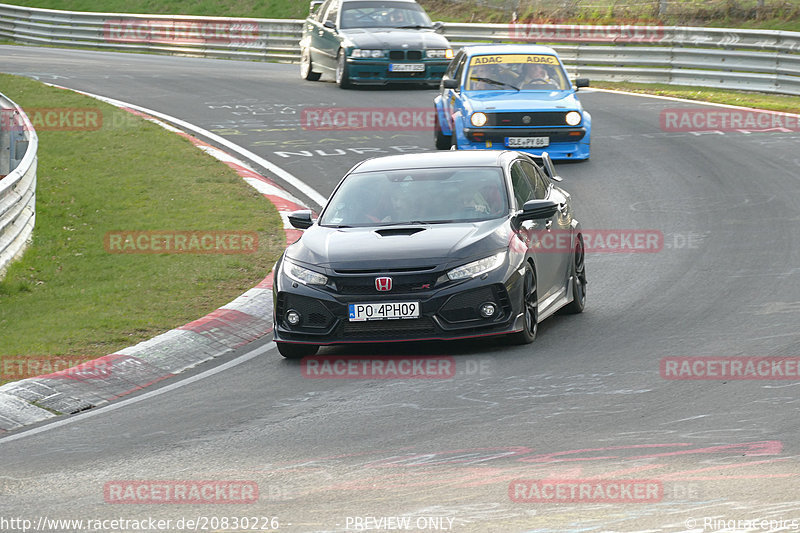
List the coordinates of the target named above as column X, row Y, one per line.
column 68, row 296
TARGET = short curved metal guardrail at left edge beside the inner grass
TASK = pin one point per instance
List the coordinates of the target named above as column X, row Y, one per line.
column 18, row 157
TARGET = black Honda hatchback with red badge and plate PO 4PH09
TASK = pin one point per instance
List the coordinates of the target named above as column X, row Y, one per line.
column 431, row 246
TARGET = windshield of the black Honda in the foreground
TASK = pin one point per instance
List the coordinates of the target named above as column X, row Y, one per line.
column 417, row 196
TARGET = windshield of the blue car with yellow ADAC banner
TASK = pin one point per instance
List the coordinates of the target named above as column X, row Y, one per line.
column 516, row 72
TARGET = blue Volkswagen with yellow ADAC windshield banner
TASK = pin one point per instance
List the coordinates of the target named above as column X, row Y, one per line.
column 519, row 97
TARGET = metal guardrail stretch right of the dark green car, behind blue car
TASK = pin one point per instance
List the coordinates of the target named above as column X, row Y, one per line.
column 756, row 60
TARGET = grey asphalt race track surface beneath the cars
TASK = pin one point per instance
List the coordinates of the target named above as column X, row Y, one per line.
column 585, row 401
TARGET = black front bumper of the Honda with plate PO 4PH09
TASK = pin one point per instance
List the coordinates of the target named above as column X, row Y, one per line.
column 446, row 313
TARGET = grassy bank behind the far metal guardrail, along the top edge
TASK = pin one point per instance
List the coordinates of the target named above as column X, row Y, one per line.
column 776, row 14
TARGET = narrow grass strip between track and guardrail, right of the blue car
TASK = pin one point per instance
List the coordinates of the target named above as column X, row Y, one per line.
column 774, row 102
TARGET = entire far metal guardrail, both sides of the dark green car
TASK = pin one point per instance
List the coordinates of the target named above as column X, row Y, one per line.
column 760, row 60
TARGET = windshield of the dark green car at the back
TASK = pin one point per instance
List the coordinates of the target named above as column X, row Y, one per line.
column 383, row 15
